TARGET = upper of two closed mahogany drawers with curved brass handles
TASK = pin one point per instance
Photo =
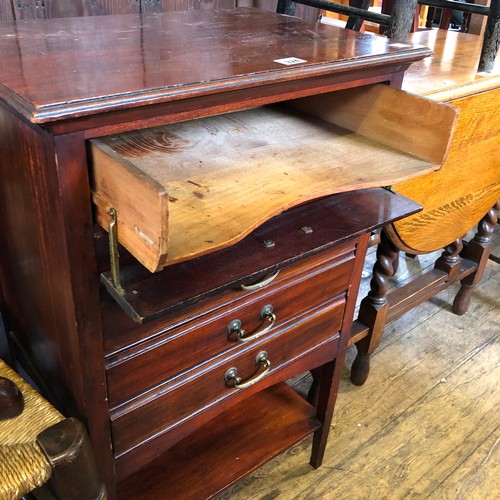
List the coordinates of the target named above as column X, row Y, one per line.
column 197, row 340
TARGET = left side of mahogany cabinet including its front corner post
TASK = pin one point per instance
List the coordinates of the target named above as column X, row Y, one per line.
column 49, row 292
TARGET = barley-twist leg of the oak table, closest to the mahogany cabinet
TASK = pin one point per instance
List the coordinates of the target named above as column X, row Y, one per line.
column 374, row 308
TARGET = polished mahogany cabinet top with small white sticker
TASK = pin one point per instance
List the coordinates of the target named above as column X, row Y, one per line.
column 56, row 69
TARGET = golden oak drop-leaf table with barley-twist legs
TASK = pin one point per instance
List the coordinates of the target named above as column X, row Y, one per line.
column 461, row 195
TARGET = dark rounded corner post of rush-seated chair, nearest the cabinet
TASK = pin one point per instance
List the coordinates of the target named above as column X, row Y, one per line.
column 74, row 474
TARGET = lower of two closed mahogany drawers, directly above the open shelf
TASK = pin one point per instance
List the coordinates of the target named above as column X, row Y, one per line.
column 205, row 386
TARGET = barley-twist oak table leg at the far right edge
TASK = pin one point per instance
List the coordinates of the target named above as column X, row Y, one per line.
column 478, row 250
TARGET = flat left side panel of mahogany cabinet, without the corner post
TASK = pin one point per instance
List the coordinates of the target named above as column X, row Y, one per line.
column 32, row 258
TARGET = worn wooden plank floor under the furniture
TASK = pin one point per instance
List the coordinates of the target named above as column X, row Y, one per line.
column 427, row 422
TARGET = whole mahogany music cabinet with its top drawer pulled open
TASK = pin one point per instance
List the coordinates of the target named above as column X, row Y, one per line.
column 234, row 157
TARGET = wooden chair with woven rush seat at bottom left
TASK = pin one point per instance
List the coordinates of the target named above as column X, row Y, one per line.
column 41, row 452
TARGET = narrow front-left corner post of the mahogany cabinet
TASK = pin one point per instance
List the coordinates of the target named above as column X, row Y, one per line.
column 74, row 192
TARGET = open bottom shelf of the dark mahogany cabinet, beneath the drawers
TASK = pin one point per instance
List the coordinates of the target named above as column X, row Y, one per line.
column 226, row 449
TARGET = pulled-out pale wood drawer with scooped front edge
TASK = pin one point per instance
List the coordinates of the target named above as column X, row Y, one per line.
column 189, row 188
